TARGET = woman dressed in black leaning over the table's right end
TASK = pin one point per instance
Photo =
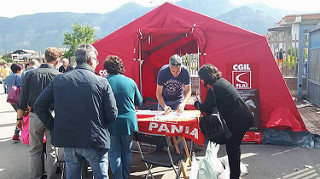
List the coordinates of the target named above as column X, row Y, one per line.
column 232, row 108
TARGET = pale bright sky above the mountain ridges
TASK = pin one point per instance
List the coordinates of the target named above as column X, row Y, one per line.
column 12, row 8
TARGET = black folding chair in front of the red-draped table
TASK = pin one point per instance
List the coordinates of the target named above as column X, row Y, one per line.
column 158, row 158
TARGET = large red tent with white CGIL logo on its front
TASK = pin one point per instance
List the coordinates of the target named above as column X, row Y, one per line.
column 243, row 57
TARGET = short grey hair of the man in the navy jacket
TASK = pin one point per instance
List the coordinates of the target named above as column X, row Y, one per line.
column 84, row 52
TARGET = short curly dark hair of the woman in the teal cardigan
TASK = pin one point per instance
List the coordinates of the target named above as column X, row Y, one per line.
column 113, row 64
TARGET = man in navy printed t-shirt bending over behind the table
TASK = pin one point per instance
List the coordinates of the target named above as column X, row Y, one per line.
column 173, row 86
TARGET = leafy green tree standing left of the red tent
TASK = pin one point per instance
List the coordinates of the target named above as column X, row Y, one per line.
column 81, row 34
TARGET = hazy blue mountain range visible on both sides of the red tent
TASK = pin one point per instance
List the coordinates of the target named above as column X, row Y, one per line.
column 39, row 31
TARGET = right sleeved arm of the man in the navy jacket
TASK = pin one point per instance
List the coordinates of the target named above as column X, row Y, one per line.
column 110, row 109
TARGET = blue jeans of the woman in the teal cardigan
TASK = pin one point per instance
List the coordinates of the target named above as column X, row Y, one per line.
column 120, row 156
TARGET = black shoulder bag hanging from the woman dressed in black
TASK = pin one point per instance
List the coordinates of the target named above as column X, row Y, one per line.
column 214, row 127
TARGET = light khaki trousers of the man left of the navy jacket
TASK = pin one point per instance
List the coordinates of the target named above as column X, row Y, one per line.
column 36, row 149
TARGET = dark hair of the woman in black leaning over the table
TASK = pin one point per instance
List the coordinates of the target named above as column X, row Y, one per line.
column 209, row 74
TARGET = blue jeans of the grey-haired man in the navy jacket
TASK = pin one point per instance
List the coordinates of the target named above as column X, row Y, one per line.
column 97, row 158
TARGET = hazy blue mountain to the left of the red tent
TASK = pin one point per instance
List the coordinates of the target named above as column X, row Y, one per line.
column 42, row 30
